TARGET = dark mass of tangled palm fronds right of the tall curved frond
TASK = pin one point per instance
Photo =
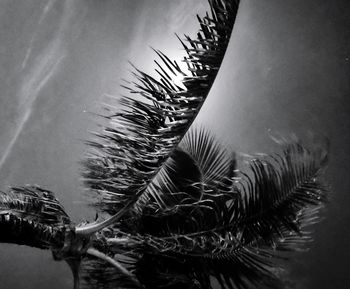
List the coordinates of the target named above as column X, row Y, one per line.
column 209, row 219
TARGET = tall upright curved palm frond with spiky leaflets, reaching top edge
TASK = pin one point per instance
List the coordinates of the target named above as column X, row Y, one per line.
column 139, row 139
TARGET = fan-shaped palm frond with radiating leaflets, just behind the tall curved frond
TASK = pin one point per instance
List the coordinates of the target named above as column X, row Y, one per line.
column 188, row 185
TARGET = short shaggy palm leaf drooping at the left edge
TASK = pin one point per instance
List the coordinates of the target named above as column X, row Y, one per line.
column 32, row 216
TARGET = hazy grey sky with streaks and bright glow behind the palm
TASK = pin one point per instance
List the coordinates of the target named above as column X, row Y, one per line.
column 286, row 71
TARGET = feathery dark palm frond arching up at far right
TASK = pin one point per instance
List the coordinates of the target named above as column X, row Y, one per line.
column 281, row 187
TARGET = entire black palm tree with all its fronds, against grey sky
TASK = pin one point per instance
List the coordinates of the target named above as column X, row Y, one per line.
column 176, row 211
